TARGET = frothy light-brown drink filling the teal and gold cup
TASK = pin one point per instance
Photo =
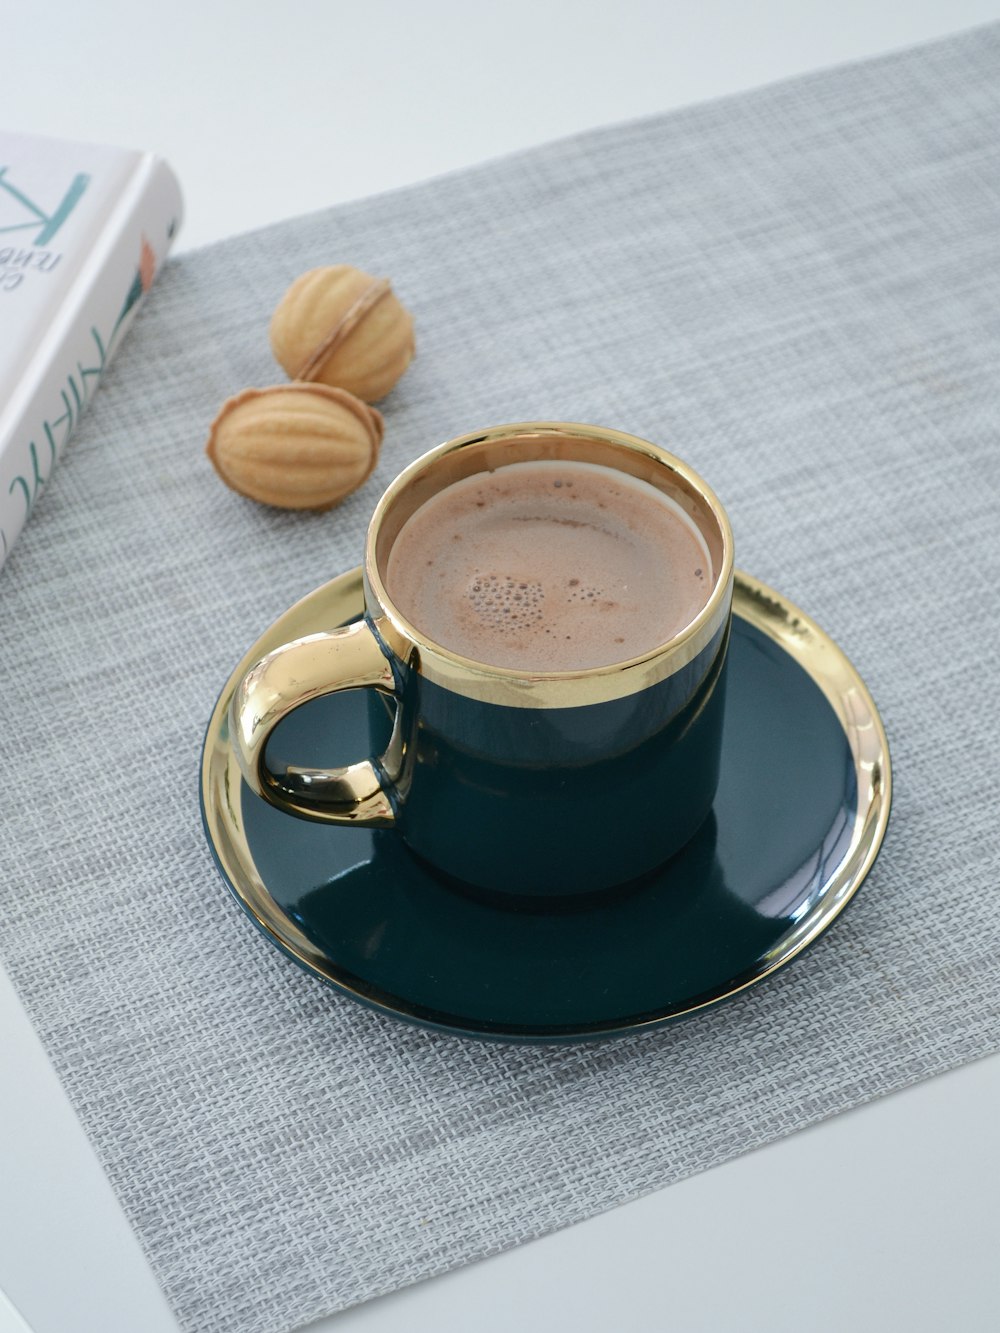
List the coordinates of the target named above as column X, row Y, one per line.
column 550, row 567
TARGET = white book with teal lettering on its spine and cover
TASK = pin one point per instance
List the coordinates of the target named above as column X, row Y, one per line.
column 85, row 230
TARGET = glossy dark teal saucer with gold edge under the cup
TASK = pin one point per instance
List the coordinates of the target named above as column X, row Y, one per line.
column 801, row 814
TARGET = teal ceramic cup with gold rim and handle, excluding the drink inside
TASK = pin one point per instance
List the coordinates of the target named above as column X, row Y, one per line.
column 515, row 782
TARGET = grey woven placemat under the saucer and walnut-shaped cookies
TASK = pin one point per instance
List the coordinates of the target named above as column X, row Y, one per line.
column 799, row 291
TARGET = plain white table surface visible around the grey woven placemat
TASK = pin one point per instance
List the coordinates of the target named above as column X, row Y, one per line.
column 881, row 1219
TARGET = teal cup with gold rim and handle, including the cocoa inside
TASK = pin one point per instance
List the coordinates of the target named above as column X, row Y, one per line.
column 546, row 775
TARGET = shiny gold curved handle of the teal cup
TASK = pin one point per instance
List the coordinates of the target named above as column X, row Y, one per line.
column 285, row 680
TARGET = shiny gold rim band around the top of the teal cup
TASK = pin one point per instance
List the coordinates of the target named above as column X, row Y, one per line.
column 521, row 688
